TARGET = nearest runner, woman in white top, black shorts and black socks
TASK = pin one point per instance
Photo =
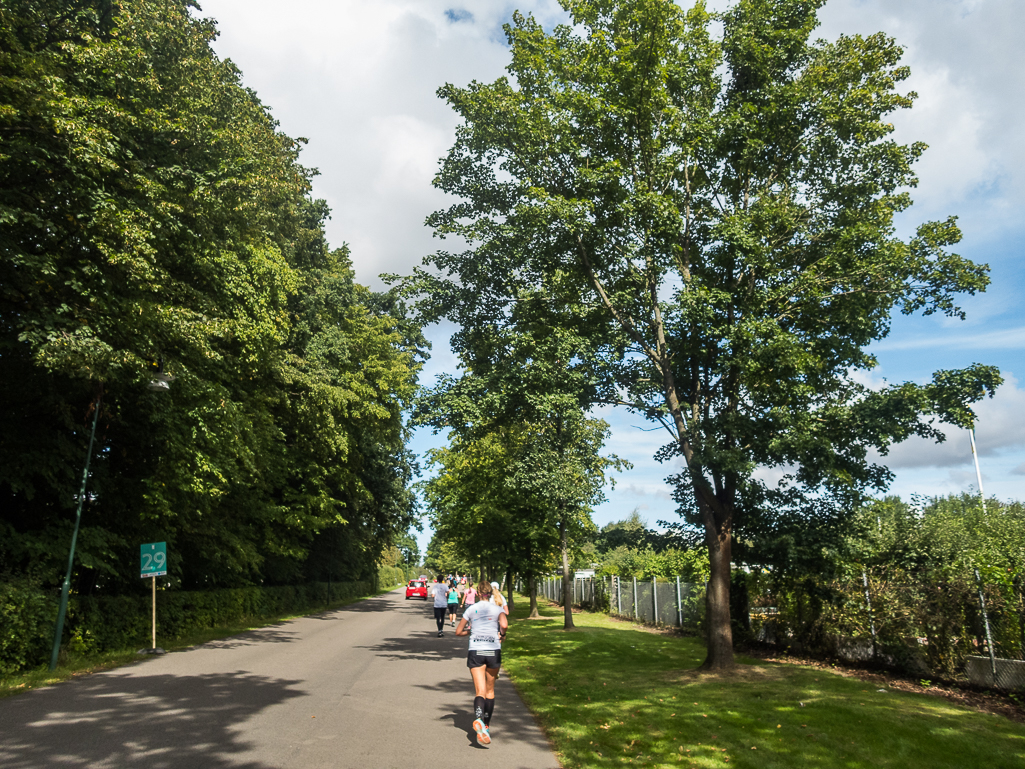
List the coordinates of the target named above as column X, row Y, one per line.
column 486, row 626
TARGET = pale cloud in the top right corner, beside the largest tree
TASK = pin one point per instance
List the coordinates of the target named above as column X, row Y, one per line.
column 965, row 60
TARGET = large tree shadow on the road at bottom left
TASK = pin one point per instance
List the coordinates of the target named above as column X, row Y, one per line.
column 156, row 722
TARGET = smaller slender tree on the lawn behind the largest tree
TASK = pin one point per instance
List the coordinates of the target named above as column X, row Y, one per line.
column 527, row 381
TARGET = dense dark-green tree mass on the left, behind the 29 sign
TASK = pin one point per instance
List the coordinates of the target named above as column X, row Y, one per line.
column 153, row 215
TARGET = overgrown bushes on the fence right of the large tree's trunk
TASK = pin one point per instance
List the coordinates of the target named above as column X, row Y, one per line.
column 951, row 626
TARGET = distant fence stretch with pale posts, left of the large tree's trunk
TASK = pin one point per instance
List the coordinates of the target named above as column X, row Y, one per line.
column 673, row 603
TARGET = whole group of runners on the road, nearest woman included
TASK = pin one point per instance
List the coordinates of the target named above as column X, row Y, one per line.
column 485, row 620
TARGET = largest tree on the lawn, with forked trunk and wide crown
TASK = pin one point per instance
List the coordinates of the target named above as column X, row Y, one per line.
column 719, row 212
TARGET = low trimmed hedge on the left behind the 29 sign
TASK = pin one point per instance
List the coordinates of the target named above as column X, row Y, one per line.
column 115, row 623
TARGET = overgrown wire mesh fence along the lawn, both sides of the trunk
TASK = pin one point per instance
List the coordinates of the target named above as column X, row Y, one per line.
column 957, row 627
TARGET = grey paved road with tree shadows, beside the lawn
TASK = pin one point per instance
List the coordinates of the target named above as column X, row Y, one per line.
column 368, row 686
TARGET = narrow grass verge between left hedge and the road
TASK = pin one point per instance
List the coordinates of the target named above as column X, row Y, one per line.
column 75, row 666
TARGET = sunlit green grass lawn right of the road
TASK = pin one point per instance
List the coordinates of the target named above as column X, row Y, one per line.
column 611, row 694
